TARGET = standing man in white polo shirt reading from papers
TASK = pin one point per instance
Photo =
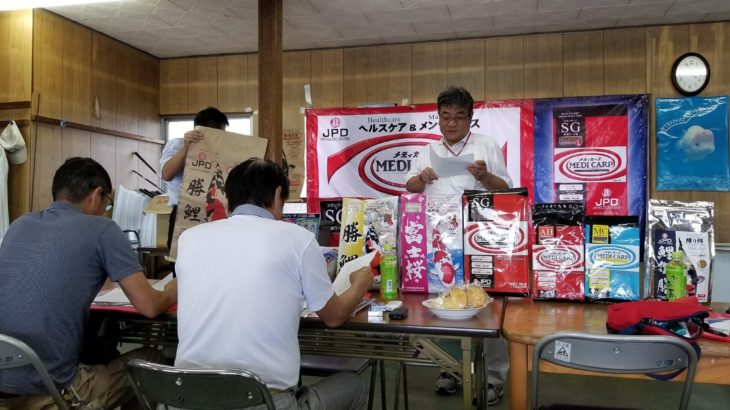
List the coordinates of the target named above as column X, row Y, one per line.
column 487, row 172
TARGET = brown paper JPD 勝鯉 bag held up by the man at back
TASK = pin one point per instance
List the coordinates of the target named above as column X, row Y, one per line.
column 207, row 165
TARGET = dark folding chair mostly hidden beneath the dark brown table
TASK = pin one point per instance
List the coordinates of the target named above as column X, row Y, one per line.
column 323, row 366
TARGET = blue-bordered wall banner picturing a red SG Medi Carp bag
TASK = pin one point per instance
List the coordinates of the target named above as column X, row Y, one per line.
column 592, row 150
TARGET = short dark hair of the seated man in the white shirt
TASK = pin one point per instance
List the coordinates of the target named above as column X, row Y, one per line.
column 254, row 181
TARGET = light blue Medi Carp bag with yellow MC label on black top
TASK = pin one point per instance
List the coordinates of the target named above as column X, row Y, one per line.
column 612, row 257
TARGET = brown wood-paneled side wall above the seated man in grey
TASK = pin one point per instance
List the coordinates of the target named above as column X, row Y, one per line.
column 84, row 77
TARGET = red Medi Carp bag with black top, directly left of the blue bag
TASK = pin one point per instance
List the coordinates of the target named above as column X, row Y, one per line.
column 557, row 254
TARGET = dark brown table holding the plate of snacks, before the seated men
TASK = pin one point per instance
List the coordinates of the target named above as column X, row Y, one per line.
column 375, row 337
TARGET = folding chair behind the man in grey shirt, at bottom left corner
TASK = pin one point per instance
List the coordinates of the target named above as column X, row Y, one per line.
column 15, row 353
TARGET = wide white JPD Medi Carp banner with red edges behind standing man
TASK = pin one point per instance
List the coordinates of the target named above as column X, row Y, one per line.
column 367, row 152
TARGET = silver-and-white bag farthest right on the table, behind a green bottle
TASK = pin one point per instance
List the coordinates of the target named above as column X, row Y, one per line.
column 679, row 226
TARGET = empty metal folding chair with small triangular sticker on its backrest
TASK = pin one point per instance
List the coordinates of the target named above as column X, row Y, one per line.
column 628, row 354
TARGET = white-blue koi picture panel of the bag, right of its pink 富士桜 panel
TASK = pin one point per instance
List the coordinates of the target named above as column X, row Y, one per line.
column 445, row 248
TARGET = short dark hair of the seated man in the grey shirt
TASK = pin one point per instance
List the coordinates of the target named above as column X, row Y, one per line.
column 77, row 177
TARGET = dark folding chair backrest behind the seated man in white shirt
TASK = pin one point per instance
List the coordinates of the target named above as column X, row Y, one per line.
column 197, row 389
